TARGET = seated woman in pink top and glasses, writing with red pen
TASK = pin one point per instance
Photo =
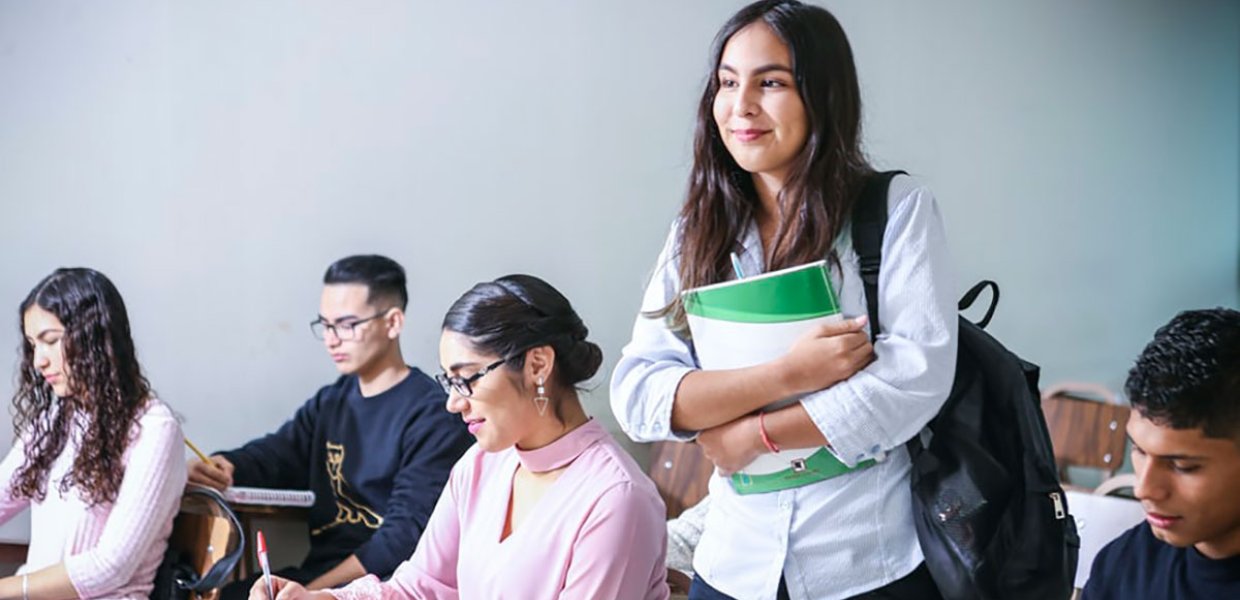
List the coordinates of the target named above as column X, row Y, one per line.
column 546, row 505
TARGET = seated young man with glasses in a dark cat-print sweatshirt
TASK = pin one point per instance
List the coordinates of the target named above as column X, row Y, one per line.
column 376, row 447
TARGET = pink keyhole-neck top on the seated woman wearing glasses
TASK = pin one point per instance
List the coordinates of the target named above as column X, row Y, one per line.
column 600, row 531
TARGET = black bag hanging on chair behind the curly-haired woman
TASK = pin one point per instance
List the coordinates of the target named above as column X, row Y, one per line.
column 177, row 577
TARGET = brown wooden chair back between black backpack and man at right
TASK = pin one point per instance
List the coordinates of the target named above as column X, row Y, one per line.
column 1088, row 428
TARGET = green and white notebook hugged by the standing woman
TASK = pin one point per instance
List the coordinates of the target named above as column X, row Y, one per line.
column 755, row 320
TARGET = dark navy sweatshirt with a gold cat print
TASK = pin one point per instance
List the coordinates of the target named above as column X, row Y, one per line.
column 376, row 465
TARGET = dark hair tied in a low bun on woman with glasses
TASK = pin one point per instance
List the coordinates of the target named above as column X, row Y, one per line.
column 516, row 313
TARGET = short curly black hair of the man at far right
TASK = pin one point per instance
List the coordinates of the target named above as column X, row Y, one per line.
column 1189, row 377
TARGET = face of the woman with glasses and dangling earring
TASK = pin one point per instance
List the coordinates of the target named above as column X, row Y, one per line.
column 498, row 412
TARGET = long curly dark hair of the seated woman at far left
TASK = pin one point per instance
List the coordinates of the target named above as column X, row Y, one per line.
column 107, row 389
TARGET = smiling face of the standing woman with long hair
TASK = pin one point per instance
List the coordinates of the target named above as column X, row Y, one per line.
column 758, row 110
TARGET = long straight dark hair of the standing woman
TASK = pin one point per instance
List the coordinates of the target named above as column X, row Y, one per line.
column 824, row 180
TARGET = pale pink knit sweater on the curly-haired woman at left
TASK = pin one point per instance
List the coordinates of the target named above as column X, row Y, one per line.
column 111, row 551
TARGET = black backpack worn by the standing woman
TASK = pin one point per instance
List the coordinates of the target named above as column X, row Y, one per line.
column 991, row 516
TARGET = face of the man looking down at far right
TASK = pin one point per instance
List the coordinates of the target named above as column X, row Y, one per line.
column 1189, row 485
